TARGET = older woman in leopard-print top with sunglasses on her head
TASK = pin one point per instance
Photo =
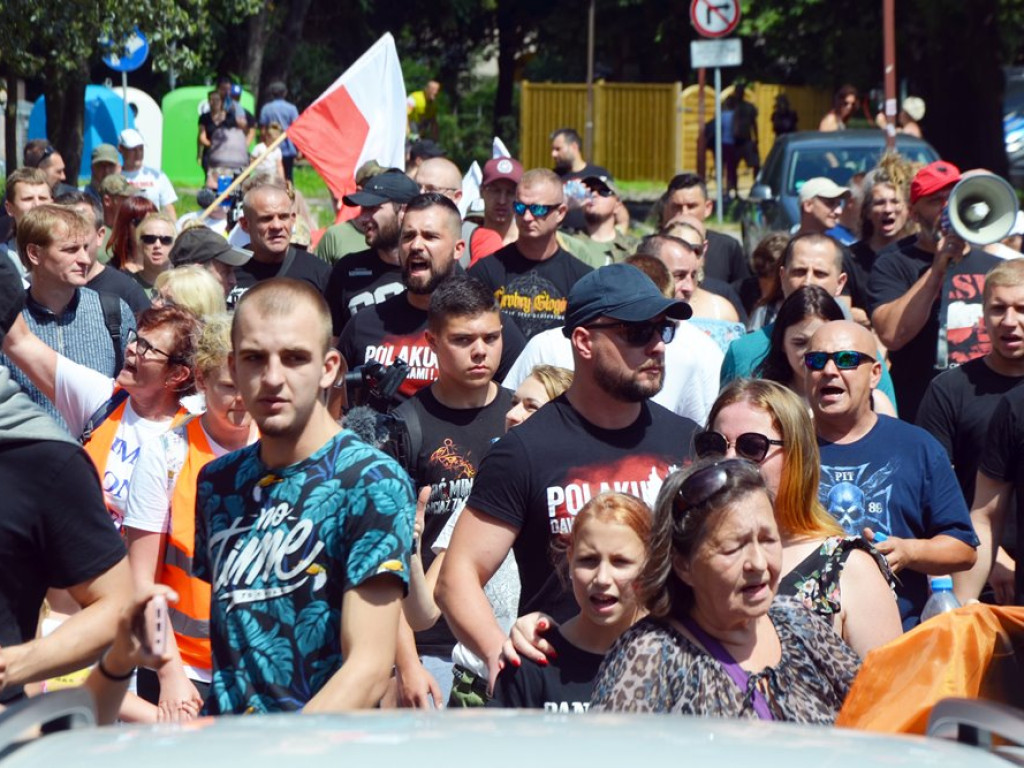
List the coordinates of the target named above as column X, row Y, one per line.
column 718, row 643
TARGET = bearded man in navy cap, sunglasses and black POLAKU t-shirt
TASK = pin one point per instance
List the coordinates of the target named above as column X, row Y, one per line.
column 603, row 433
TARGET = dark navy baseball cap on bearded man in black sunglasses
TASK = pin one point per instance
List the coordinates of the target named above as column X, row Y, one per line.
column 621, row 292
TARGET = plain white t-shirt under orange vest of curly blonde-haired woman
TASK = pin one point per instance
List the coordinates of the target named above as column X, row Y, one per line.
column 159, row 464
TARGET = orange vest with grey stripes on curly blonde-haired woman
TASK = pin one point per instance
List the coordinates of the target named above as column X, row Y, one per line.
column 191, row 617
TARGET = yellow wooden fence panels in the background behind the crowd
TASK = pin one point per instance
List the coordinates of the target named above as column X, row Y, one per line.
column 647, row 132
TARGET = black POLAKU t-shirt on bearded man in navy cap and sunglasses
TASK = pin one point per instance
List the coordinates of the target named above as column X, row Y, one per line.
column 539, row 477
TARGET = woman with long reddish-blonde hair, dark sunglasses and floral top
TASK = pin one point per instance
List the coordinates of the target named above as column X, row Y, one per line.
column 841, row 578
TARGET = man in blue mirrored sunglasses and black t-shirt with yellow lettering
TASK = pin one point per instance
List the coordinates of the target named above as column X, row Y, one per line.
column 532, row 278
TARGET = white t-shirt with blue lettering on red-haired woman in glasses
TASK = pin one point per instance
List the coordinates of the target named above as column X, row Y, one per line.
column 80, row 393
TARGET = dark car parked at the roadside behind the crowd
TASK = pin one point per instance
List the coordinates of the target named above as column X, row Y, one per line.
column 775, row 199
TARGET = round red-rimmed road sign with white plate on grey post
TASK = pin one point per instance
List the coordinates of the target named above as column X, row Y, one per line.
column 716, row 19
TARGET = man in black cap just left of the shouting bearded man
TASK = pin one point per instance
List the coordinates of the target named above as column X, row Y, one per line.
column 368, row 278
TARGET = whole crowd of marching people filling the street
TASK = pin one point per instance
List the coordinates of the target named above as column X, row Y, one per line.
column 524, row 459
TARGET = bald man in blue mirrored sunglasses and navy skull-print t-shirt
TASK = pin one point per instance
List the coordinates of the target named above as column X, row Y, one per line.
column 882, row 478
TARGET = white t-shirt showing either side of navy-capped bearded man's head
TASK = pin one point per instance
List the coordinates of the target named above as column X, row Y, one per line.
column 693, row 363
